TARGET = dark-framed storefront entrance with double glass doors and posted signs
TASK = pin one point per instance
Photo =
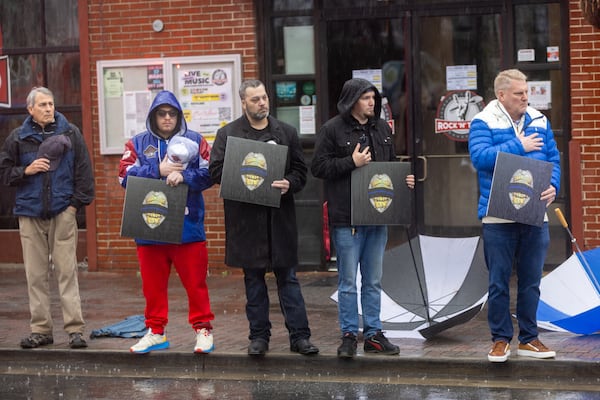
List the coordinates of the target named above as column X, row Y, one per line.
column 435, row 62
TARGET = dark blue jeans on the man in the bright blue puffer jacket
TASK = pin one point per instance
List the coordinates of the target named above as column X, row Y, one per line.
column 525, row 246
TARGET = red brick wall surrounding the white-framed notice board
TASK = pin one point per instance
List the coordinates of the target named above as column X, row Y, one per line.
column 123, row 30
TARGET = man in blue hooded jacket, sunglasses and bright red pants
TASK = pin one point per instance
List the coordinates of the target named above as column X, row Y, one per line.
column 150, row 154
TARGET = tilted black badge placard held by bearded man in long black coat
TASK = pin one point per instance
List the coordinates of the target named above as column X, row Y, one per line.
column 249, row 168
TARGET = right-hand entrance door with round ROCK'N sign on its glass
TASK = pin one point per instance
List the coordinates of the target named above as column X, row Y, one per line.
column 455, row 63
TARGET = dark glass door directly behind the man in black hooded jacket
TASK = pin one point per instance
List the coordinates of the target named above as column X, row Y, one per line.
column 374, row 48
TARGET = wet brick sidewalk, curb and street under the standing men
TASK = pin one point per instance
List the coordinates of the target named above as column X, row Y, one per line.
column 451, row 365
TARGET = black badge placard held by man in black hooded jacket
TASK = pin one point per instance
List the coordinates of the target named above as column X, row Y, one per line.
column 380, row 195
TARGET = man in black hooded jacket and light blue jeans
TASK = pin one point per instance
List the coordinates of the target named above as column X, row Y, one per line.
column 350, row 140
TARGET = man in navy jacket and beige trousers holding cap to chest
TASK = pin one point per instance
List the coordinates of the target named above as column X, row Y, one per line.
column 46, row 159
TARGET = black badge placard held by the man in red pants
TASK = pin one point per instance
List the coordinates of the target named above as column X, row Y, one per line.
column 153, row 210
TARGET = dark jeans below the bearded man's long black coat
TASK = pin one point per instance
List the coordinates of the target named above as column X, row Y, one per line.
column 291, row 303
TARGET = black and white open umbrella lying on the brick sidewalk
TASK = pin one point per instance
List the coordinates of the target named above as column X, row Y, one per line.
column 431, row 284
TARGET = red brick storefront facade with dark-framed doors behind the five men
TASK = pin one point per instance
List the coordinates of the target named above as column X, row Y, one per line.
column 349, row 35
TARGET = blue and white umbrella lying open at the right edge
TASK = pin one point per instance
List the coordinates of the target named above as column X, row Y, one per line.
column 570, row 294
